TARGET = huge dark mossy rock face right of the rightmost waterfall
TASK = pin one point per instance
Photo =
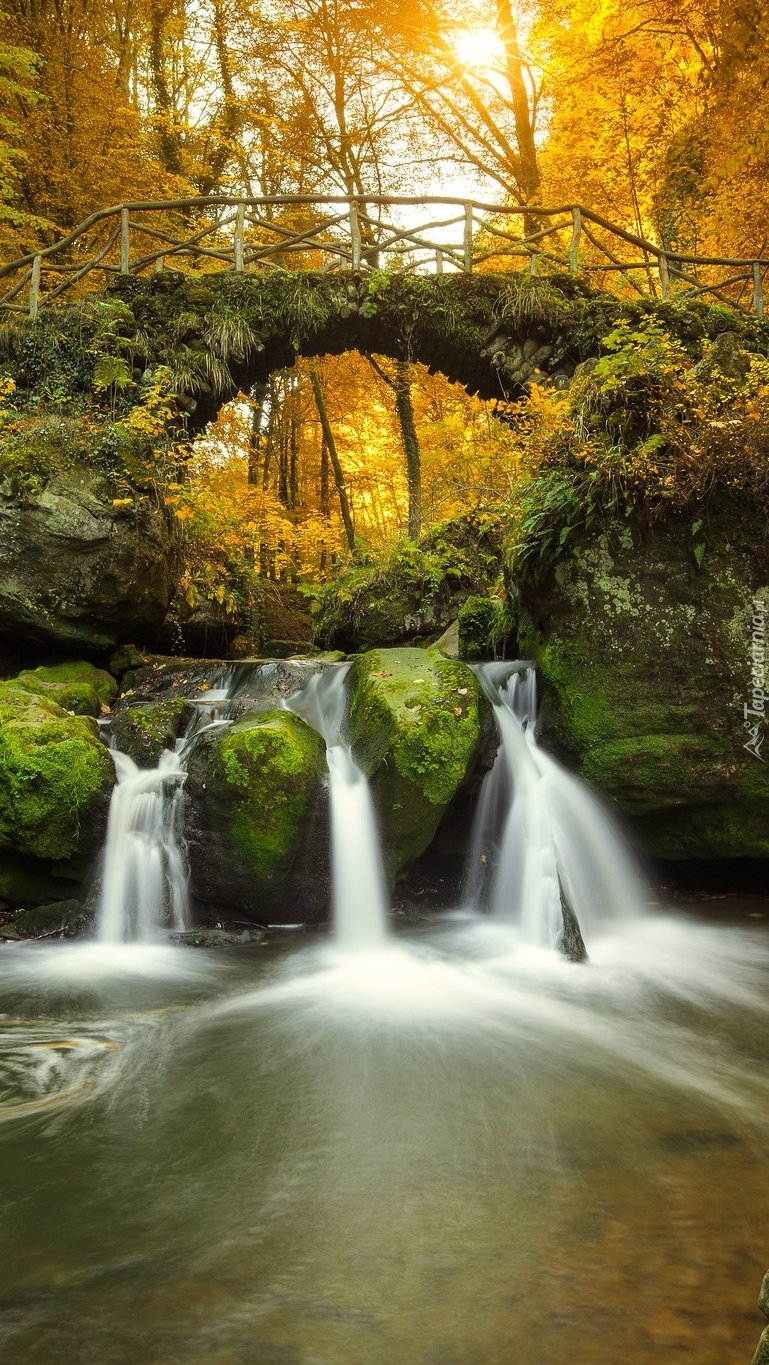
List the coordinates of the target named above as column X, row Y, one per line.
column 644, row 657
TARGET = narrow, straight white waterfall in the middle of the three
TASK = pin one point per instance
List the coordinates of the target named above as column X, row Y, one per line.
column 360, row 900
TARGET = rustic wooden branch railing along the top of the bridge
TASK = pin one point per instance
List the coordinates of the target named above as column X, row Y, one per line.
column 342, row 234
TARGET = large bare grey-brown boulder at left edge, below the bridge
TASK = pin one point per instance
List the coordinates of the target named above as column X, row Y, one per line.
column 80, row 569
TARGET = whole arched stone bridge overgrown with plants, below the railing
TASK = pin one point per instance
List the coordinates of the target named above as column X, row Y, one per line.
column 222, row 335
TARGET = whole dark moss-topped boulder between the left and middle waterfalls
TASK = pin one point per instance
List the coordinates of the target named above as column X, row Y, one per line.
column 259, row 822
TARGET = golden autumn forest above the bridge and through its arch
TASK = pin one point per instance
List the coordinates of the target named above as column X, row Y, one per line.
column 648, row 114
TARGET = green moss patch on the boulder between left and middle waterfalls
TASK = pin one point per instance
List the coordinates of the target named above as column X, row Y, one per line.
column 267, row 772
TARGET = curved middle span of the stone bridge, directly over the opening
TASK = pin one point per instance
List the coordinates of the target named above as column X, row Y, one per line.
column 494, row 335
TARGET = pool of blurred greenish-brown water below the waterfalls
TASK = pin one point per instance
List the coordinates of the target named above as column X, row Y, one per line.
column 453, row 1153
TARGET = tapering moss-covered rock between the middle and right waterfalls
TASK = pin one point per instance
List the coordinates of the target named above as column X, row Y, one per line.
column 416, row 724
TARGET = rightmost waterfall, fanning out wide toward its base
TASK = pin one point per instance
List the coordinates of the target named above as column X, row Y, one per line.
column 544, row 854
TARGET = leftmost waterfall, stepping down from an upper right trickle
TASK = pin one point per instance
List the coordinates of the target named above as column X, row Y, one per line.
column 144, row 887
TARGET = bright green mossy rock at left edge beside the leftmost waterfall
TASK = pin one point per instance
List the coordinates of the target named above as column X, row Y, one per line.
column 54, row 771
